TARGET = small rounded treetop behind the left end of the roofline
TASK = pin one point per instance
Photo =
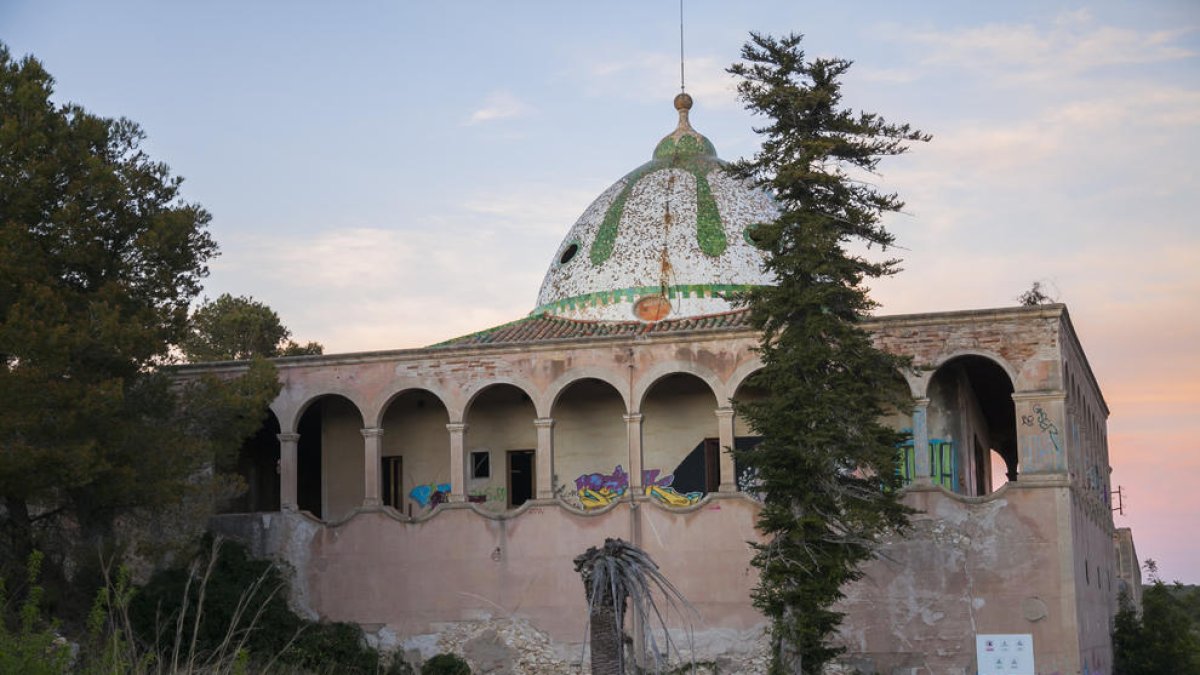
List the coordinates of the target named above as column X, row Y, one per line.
column 237, row 330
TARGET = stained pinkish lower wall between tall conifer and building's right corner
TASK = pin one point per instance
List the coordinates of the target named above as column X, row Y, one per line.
column 968, row 566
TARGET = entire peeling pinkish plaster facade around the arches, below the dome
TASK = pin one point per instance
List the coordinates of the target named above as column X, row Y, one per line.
column 1021, row 560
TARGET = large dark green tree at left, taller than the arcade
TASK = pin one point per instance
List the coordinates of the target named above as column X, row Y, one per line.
column 100, row 260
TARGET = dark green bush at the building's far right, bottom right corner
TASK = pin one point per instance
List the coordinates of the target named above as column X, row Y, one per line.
column 1165, row 640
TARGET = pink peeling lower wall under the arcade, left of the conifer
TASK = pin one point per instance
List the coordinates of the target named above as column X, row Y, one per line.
column 419, row 577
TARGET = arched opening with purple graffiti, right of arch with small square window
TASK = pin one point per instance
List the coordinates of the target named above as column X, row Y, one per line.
column 591, row 443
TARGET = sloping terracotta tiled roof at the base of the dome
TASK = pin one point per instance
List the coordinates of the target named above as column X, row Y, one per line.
column 541, row 328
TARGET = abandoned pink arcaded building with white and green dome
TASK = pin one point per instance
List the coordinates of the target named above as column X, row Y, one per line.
column 443, row 491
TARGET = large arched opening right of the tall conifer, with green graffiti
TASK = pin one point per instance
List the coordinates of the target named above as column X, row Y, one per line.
column 971, row 416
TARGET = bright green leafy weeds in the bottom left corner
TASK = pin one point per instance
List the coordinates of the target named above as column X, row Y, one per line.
column 34, row 649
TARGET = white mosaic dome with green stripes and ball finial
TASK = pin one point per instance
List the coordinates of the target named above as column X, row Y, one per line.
column 668, row 241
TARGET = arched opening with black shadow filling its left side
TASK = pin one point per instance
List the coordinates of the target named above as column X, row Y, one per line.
column 331, row 456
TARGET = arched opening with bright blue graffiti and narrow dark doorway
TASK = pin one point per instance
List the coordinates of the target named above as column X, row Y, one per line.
column 416, row 468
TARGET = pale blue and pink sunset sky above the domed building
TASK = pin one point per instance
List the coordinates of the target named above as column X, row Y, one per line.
column 393, row 175
